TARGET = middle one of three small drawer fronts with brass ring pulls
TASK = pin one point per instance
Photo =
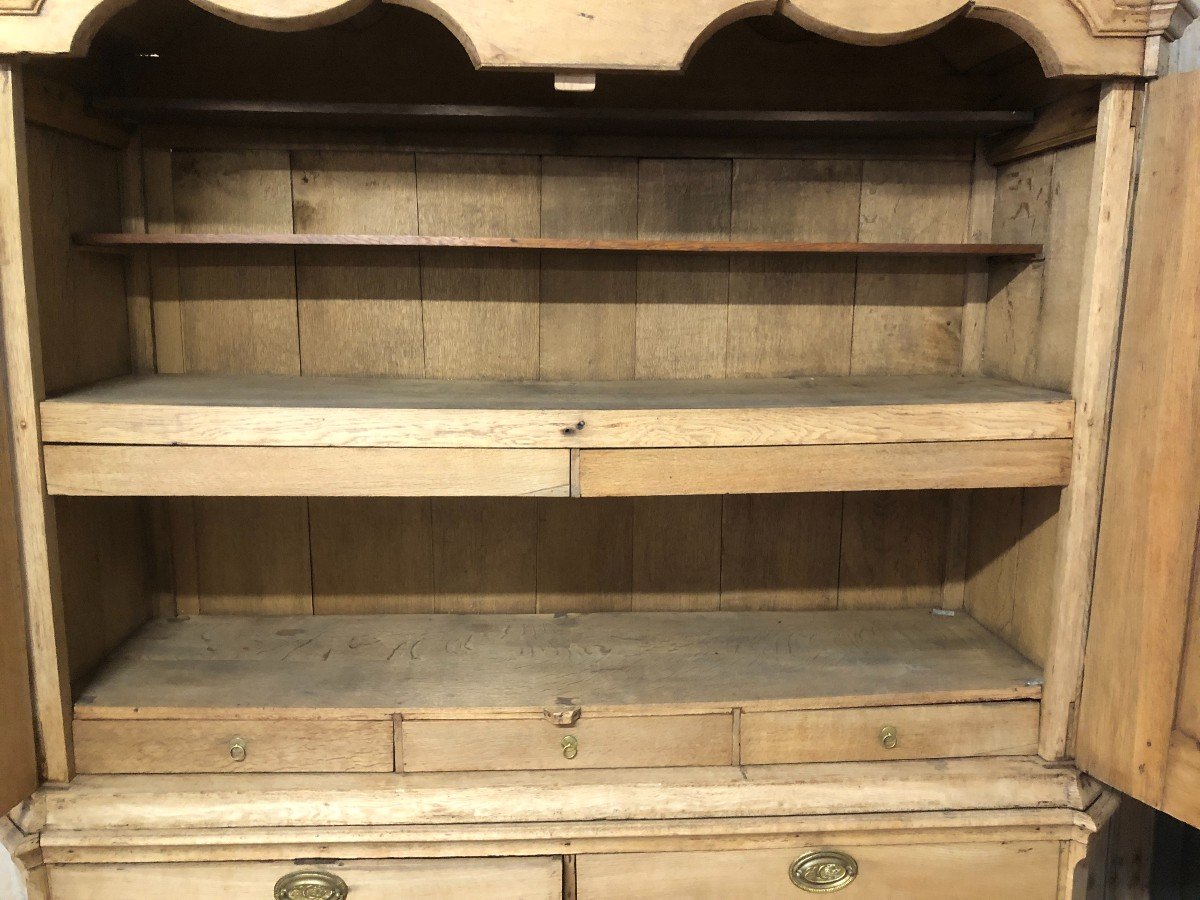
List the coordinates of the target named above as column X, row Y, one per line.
column 475, row 746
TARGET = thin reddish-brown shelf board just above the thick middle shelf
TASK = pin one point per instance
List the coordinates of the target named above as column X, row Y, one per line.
column 128, row 242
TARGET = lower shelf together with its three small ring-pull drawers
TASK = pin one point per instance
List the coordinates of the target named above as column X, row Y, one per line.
column 602, row 691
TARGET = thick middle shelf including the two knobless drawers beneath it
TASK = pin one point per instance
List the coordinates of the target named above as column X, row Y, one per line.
column 327, row 436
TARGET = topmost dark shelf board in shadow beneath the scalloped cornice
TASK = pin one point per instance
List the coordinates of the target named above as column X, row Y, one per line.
column 577, row 119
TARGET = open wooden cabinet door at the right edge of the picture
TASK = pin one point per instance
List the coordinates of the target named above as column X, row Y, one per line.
column 1139, row 723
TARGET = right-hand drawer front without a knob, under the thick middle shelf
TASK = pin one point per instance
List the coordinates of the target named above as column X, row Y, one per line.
column 803, row 470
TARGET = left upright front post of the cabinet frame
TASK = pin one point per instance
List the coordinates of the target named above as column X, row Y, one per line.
column 23, row 371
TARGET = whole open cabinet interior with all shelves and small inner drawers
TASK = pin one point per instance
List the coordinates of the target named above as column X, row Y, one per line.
column 427, row 419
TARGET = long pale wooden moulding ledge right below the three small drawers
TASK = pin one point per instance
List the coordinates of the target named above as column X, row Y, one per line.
column 332, row 802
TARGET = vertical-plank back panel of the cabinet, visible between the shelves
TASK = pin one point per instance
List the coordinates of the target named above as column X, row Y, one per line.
column 559, row 316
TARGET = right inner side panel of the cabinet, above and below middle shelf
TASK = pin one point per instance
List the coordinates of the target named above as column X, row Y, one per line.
column 1030, row 337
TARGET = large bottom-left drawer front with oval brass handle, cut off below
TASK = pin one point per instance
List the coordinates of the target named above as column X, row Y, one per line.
column 535, row 879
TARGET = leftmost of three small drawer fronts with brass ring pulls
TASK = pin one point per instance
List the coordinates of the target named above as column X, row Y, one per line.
column 116, row 747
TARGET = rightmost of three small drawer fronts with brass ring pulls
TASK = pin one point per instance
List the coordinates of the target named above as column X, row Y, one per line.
column 932, row 733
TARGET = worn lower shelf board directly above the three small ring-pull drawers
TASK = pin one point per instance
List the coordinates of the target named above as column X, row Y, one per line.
column 512, row 667
